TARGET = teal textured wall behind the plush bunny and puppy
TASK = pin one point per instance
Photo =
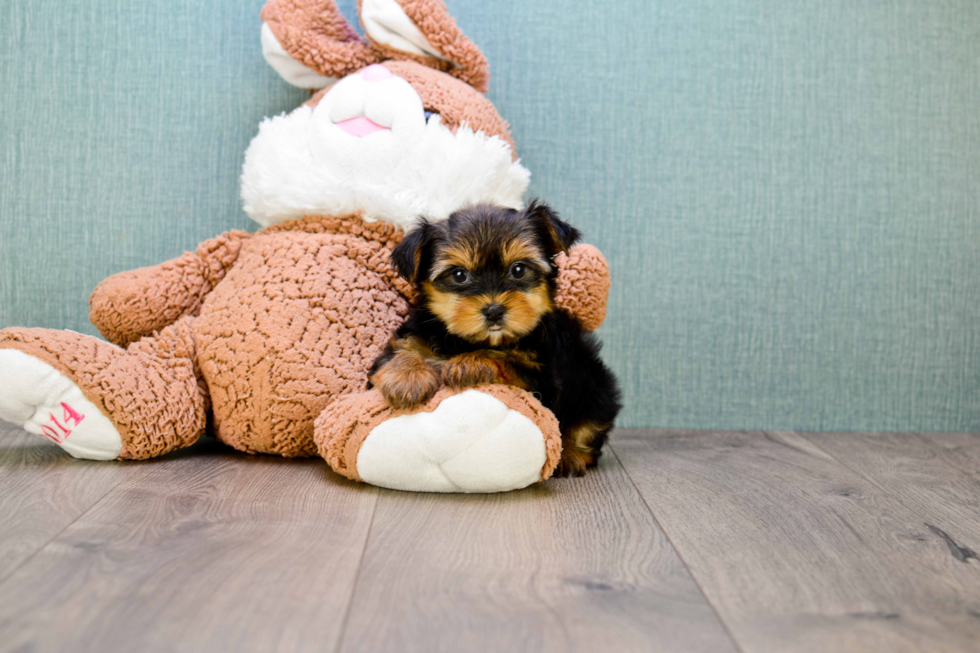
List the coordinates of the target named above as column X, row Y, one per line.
column 788, row 192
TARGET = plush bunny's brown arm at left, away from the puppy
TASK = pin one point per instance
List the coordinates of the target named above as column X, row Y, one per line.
column 130, row 305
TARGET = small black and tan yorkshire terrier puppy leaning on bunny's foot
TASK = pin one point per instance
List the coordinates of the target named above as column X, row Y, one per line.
column 485, row 313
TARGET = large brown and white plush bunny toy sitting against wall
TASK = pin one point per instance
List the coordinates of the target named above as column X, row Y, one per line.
column 270, row 335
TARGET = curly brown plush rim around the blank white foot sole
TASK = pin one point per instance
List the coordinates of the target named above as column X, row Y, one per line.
column 344, row 425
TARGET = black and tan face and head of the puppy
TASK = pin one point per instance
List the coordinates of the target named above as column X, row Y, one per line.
column 486, row 273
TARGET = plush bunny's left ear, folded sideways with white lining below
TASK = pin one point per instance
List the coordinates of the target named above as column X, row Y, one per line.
column 311, row 44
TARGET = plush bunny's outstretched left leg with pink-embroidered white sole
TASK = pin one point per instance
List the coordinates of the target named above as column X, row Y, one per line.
column 98, row 401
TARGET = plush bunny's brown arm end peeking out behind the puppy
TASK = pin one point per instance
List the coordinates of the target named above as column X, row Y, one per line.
column 583, row 285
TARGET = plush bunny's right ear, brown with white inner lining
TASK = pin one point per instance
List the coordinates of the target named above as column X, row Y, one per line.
column 423, row 31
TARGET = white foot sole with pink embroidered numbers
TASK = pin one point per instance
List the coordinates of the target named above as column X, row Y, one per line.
column 41, row 400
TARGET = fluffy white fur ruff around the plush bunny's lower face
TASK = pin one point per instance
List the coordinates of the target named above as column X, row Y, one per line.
column 287, row 174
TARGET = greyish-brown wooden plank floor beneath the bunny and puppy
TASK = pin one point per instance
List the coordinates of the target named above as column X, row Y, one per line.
column 681, row 541
